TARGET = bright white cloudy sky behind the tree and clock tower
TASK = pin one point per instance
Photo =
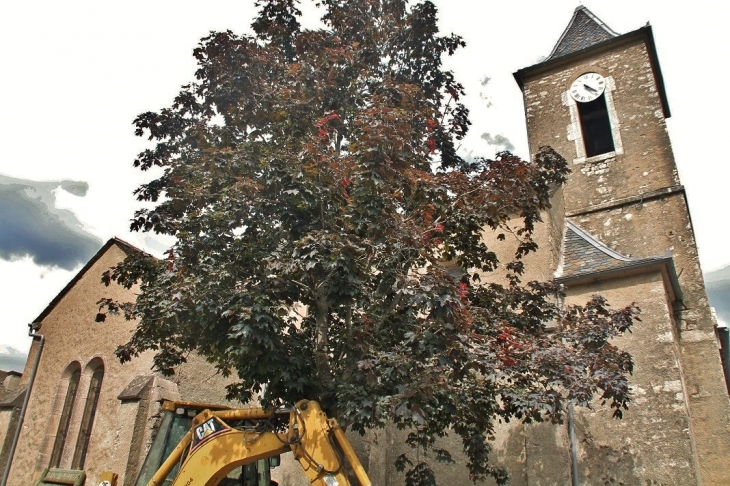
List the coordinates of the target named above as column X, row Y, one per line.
column 75, row 74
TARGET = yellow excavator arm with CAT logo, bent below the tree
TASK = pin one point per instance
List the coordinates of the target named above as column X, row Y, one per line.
column 211, row 448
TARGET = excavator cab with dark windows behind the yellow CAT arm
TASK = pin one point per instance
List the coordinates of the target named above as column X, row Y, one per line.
column 177, row 419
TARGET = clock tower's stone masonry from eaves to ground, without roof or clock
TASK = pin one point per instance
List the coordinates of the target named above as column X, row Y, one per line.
column 633, row 202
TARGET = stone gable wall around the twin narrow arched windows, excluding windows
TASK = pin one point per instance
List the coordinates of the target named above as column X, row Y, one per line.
column 72, row 335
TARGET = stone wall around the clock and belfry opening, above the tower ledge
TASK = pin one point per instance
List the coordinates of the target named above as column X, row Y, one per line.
column 647, row 161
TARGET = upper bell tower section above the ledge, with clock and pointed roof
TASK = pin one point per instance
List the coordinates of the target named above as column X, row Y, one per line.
column 599, row 100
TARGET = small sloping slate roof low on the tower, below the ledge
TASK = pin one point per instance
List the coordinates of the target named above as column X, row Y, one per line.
column 586, row 259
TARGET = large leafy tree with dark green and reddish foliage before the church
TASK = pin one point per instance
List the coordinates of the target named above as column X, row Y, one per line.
column 329, row 238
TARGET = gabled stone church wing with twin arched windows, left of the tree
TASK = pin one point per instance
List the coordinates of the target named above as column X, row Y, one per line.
column 86, row 411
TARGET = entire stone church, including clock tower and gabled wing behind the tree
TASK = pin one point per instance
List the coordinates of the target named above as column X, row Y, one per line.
column 620, row 227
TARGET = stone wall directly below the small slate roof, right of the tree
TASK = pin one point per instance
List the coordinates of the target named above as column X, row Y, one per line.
column 652, row 443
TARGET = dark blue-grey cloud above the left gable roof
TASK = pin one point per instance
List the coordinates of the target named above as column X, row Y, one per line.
column 32, row 225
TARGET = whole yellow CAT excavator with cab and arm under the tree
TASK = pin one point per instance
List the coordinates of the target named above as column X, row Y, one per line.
column 206, row 445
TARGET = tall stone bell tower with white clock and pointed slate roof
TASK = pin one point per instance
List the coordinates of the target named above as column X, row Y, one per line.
column 599, row 100
